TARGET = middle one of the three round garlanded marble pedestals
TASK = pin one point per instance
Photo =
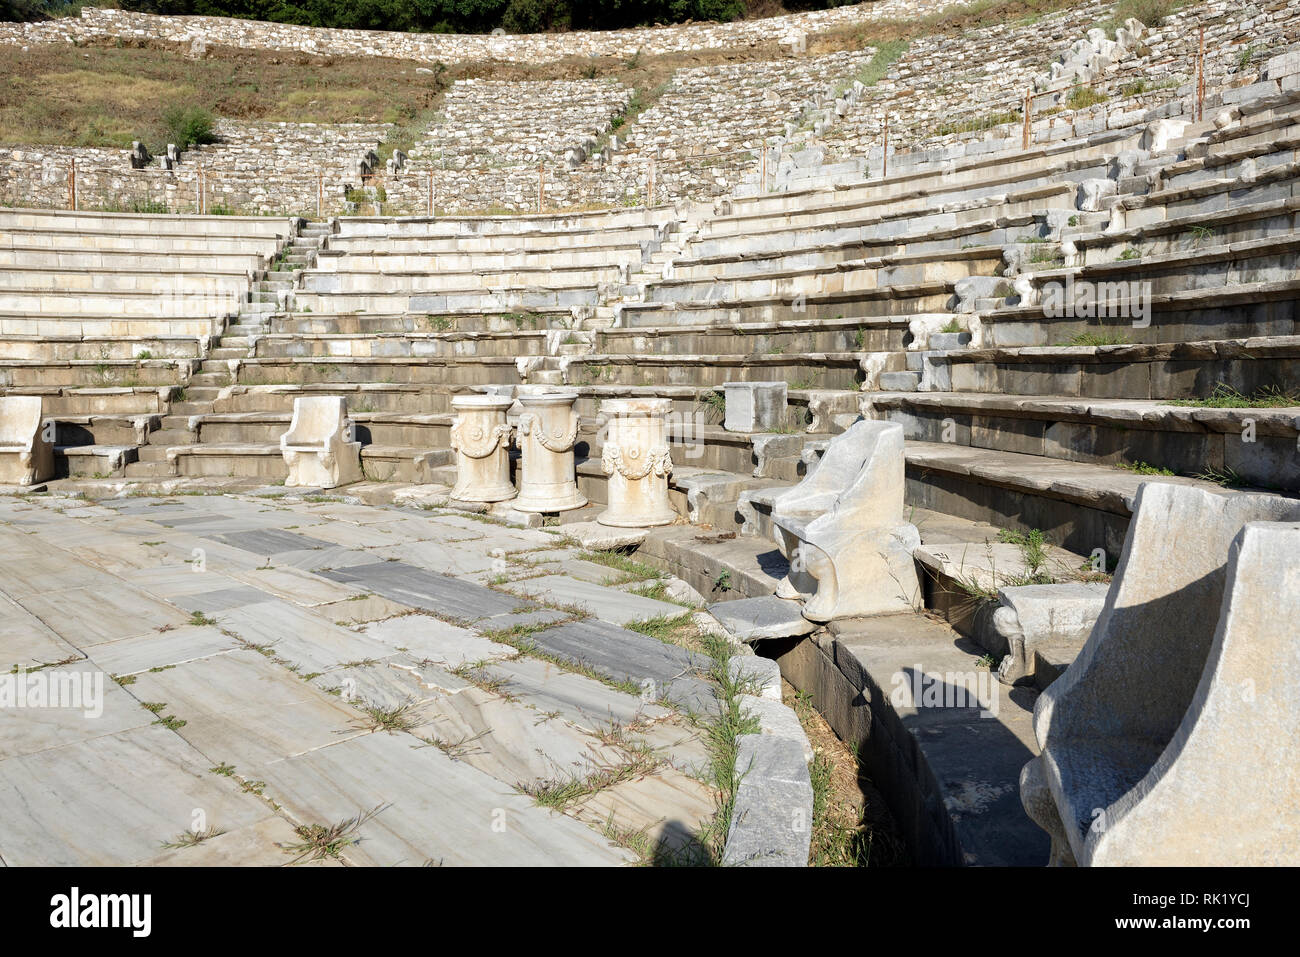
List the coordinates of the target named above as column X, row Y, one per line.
column 548, row 428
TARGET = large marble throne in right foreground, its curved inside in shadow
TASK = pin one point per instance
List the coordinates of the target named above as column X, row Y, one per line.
column 1172, row 738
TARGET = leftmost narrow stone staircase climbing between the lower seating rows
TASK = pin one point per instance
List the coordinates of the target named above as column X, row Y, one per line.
column 270, row 292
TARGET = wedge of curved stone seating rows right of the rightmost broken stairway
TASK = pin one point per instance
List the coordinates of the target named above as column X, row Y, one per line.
column 1022, row 427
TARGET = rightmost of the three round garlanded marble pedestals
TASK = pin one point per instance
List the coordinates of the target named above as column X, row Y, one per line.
column 638, row 460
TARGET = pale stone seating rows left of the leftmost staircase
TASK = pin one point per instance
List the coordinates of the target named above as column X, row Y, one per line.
column 105, row 317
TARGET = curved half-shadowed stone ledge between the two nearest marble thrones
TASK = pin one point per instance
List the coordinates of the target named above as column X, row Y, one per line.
column 948, row 765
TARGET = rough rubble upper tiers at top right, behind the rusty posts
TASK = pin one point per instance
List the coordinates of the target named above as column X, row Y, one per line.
column 939, row 111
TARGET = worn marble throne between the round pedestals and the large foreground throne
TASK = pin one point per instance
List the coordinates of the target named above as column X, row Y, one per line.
column 843, row 531
